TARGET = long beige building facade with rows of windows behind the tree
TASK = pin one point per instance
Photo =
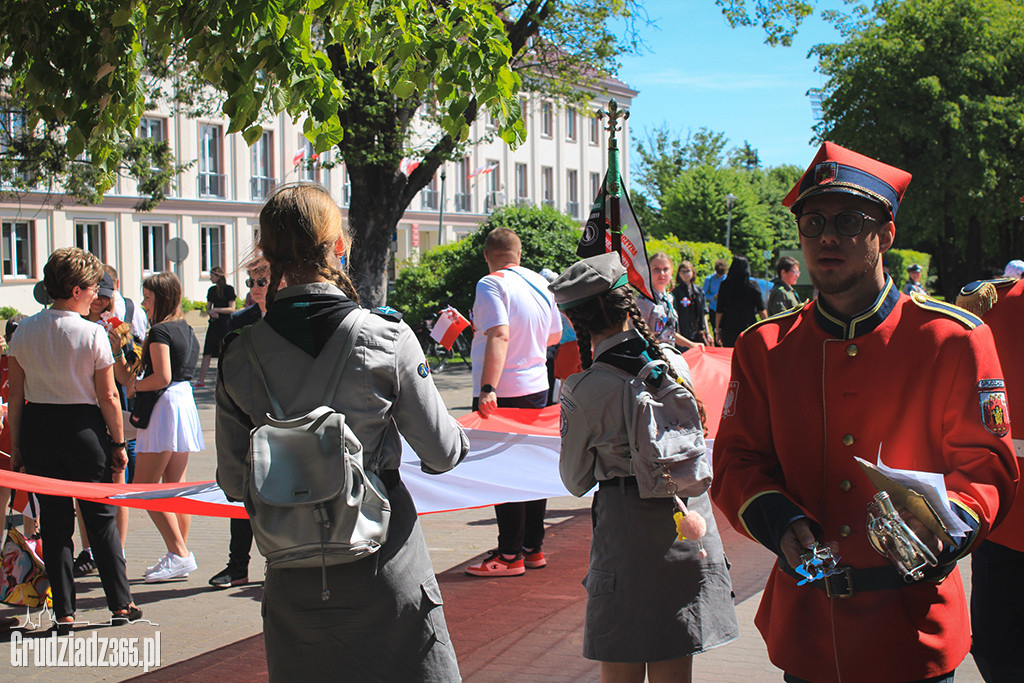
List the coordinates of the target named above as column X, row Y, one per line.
column 214, row 207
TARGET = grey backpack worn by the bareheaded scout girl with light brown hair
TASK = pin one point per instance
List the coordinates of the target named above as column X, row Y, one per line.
column 310, row 499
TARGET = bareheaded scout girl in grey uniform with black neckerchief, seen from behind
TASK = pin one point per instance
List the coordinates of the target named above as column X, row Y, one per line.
column 383, row 621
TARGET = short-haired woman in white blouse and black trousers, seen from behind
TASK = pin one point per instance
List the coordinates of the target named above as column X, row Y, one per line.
column 66, row 424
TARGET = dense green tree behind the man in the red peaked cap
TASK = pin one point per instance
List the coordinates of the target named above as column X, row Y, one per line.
column 935, row 88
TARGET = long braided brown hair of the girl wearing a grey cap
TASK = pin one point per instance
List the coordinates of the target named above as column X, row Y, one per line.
column 610, row 311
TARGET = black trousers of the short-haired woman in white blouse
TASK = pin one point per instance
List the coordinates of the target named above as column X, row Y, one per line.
column 71, row 443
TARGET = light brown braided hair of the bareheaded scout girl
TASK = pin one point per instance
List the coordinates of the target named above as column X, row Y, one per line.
column 301, row 227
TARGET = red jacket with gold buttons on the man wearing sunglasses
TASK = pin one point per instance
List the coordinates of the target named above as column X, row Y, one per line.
column 809, row 392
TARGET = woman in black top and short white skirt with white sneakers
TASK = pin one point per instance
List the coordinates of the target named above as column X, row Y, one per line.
column 169, row 357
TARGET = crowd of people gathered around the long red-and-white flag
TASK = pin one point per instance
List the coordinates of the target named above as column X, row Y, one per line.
column 879, row 374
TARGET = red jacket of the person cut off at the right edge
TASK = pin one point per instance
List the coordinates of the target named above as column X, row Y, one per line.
column 1007, row 322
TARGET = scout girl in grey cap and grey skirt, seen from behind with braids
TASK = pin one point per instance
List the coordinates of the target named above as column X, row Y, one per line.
column 654, row 602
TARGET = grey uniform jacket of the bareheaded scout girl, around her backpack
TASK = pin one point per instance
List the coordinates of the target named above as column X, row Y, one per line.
column 386, row 391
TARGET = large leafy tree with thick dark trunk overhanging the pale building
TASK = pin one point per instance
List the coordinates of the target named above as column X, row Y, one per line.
column 358, row 70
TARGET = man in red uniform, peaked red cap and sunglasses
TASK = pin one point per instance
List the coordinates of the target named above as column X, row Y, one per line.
column 862, row 368
